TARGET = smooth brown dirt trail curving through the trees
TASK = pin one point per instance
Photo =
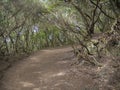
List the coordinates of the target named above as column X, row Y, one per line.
column 48, row 69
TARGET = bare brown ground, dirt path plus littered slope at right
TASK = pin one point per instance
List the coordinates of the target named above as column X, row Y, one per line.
column 53, row 69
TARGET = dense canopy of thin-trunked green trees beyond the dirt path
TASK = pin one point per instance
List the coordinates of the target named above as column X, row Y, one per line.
column 30, row 25
